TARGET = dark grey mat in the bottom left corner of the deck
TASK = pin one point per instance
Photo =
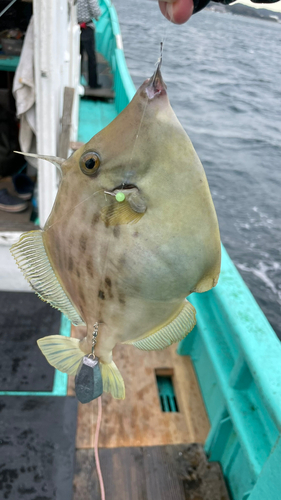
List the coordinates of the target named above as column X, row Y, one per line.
column 37, row 447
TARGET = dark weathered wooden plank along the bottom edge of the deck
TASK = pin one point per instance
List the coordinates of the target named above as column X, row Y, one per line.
column 178, row 472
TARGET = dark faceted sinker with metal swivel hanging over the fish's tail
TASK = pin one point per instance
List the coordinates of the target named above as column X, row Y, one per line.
column 88, row 379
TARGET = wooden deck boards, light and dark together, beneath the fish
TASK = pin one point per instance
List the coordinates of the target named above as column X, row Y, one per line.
column 145, row 452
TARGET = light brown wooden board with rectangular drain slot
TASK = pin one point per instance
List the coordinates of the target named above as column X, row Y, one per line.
column 139, row 420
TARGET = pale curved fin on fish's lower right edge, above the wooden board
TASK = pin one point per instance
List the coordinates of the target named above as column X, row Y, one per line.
column 171, row 333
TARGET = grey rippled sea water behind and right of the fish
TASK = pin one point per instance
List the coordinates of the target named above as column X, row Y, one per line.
column 223, row 74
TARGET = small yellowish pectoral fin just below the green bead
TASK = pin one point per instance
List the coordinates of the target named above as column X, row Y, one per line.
column 117, row 214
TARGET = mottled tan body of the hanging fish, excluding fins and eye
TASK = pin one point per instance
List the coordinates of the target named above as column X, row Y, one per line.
column 133, row 277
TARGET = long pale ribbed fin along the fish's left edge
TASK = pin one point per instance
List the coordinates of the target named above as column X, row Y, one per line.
column 31, row 257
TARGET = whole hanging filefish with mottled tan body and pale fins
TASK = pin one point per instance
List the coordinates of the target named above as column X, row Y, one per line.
column 133, row 232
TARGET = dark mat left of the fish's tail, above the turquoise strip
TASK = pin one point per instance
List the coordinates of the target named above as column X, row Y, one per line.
column 24, row 318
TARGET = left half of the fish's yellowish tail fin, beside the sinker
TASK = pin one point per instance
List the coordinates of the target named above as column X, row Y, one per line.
column 62, row 352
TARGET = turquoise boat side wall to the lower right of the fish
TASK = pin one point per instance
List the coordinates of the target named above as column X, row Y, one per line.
column 237, row 359
